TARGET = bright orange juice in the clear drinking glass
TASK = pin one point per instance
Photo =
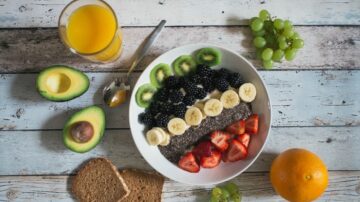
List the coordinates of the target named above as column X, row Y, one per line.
column 92, row 29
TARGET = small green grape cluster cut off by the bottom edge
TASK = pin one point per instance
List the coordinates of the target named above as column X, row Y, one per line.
column 228, row 192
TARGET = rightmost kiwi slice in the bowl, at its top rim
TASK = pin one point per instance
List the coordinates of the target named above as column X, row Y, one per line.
column 208, row 56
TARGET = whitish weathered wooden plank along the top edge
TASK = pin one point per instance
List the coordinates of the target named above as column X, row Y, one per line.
column 44, row 13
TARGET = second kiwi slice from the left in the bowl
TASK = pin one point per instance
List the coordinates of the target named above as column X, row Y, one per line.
column 159, row 73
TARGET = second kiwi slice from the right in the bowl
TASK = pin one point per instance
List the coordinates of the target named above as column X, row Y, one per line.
column 184, row 65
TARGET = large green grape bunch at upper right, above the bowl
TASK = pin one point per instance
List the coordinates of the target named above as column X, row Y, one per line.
column 274, row 39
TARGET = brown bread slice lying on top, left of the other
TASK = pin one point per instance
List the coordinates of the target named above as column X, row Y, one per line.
column 99, row 180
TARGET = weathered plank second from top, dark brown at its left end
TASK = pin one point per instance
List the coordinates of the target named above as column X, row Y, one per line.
column 325, row 47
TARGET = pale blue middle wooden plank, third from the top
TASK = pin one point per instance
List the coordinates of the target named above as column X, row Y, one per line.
column 294, row 100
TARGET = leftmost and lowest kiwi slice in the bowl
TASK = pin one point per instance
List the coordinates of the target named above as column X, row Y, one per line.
column 144, row 95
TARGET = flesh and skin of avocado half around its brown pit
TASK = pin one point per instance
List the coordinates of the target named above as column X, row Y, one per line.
column 96, row 117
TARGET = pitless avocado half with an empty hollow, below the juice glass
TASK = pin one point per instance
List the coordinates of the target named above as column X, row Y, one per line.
column 61, row 83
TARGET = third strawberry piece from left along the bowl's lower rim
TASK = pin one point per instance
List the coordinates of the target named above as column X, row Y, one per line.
column 236, row 151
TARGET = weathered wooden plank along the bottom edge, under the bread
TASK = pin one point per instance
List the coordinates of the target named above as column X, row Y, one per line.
column 343, row 186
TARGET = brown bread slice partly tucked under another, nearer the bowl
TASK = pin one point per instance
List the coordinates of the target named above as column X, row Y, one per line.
column 144, row 186
